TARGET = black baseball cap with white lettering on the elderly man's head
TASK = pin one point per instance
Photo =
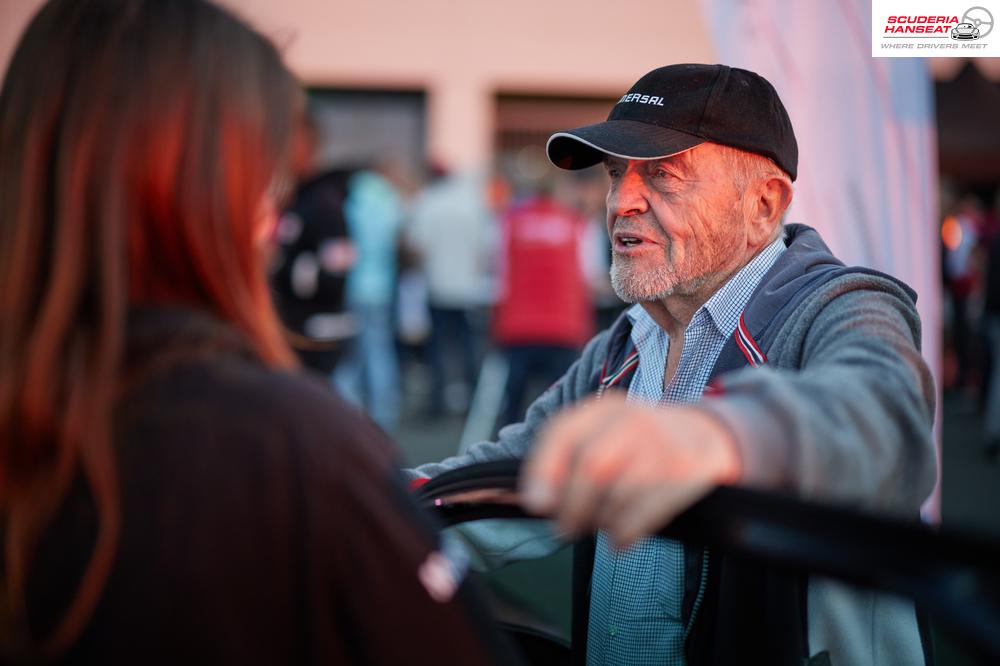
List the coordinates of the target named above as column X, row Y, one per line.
column 677, row 107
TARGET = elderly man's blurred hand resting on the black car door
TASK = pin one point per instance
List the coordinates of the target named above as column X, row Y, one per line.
column 626, row 468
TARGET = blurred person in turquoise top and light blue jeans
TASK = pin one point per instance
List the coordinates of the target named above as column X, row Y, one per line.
column 369, row 373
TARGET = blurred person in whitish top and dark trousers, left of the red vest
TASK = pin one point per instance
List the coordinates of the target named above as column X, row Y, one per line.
column 451, row 234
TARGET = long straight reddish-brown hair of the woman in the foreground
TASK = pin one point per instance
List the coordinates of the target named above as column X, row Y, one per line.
column 137, row 141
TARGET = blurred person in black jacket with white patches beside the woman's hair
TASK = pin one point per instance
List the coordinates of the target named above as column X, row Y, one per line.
column 314, row 255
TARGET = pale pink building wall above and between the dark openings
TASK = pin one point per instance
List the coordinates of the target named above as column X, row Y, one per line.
column 463, row 52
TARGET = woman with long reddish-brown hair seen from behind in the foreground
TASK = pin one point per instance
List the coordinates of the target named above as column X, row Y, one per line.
column 171, row 491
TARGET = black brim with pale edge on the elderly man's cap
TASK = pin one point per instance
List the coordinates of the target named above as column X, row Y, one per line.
column 628, row 139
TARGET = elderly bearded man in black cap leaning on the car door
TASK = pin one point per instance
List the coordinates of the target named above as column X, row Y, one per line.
column 751, row 356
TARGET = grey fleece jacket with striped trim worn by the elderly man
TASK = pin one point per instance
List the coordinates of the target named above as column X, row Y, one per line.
column 841, row 412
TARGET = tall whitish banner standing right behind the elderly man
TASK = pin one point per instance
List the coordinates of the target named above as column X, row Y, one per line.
column 867, row 176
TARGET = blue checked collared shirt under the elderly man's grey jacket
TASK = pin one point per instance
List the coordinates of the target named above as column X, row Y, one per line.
column 636, row 594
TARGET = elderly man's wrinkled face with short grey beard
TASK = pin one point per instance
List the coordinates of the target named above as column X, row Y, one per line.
column 677, row 225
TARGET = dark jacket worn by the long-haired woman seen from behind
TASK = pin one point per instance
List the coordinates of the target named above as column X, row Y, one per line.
column 263, row 522
